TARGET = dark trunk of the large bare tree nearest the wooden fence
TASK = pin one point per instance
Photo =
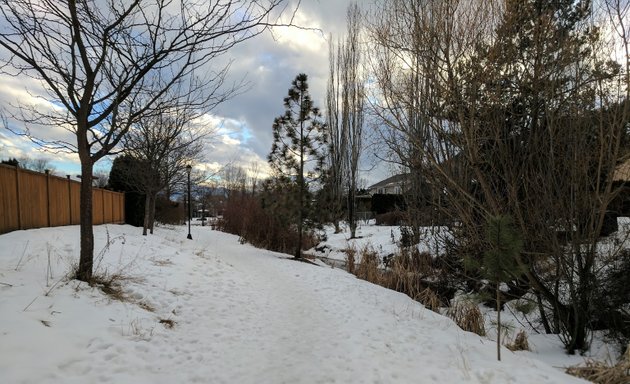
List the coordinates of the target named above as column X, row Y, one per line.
column 86, row 259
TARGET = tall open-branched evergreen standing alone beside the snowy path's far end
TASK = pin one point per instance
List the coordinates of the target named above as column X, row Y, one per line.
column 298, row 146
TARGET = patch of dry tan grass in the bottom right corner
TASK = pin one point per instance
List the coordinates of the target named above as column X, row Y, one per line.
column 602, row 373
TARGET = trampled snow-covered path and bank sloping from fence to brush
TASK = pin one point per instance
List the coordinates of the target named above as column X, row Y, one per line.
column 238, row 315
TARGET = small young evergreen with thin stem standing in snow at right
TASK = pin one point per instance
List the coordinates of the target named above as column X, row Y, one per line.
column 500, row 260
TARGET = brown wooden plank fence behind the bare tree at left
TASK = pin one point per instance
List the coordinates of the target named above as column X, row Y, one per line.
column 34, row 200
